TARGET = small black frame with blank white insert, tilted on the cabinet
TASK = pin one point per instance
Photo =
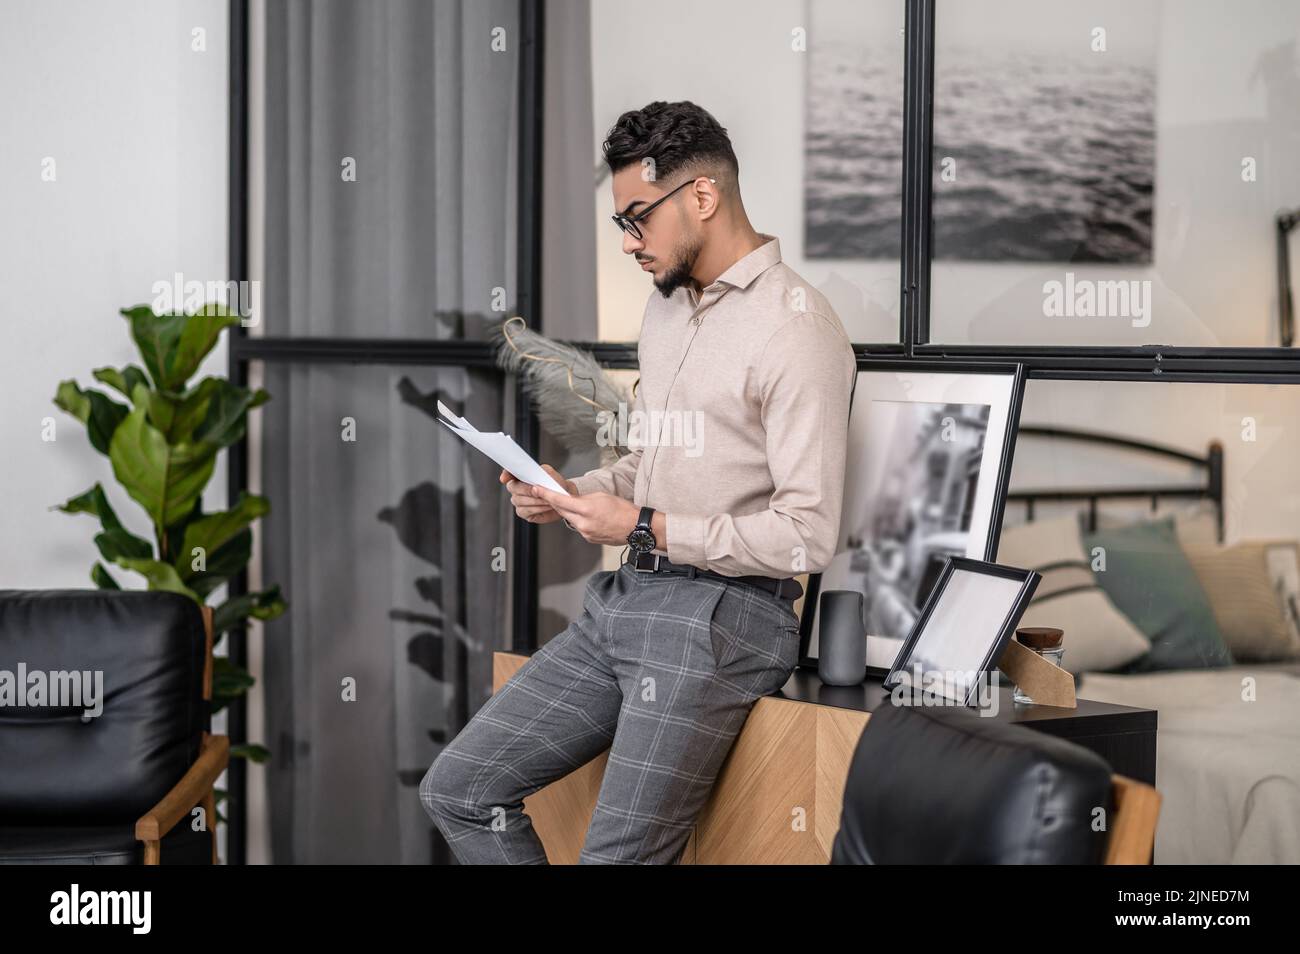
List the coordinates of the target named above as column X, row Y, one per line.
column 963, row 628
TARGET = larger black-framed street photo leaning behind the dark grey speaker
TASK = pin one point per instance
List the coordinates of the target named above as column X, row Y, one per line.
column 929, row 463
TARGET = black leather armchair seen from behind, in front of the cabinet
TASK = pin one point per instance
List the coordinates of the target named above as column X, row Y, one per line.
column 942, row 786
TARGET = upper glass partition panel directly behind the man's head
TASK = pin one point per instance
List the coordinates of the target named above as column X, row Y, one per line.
column 812, row 98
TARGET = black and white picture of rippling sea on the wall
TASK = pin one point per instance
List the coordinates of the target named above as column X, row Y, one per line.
column 1045, row 132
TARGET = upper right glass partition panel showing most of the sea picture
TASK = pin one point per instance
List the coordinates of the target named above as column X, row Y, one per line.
column 1113, row 174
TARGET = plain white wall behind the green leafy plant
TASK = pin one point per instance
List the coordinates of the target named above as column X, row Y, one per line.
column 136, row 123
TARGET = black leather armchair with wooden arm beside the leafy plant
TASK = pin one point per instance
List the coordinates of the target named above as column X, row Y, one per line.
column 118, row 788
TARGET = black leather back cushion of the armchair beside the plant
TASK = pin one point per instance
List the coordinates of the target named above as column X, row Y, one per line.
column 112, row 769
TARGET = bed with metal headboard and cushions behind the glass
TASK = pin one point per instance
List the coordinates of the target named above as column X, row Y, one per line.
column 1229, row 728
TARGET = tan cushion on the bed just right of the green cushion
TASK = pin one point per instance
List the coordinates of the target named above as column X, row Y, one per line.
column 1246, row 605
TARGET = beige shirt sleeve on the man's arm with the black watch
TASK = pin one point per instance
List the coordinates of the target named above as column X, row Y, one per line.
column 807, row 376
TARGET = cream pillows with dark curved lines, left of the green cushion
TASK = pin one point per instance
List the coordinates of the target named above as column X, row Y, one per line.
column 1098, row 636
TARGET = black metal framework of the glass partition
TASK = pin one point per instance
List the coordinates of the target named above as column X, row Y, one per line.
column 1081, row 363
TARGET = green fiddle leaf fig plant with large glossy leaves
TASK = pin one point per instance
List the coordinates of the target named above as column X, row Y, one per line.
column 162, row 436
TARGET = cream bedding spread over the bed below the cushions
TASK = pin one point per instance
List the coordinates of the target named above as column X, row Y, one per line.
column 1228, row 769
